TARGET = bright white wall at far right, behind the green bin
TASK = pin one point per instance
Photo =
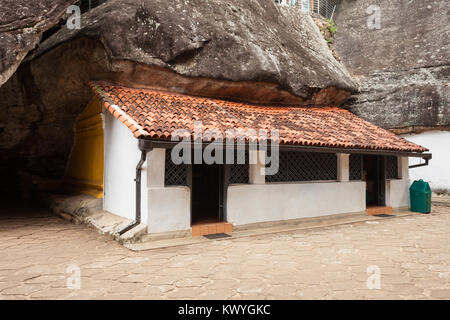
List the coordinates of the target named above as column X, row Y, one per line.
column 437, row 173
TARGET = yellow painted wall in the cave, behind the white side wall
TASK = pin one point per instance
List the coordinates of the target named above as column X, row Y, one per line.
column 84, row 171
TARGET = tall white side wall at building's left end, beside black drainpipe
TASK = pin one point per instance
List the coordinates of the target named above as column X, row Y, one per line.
column 121, row 154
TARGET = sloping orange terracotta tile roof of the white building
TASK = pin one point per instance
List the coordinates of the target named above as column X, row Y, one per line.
column 156, row 114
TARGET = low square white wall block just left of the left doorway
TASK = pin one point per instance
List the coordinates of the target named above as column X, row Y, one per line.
column 169, row 209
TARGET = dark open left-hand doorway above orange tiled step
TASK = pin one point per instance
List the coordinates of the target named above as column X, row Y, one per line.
column 207, row 193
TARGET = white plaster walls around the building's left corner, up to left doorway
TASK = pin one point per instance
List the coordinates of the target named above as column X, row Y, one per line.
column 162, row 209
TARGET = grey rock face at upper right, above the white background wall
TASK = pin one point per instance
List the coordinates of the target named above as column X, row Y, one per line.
column 400, row 53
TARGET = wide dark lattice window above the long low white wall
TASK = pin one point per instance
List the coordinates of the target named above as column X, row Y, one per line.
column 305, row 166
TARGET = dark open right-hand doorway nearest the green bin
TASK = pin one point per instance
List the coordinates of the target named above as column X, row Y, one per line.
column 374, row 175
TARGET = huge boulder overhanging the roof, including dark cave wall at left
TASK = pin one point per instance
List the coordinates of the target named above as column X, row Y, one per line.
column 252, row 50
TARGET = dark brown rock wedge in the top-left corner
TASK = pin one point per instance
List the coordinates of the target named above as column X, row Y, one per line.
column 21, row 26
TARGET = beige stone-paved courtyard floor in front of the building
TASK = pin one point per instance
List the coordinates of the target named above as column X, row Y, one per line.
column 412, row 254
